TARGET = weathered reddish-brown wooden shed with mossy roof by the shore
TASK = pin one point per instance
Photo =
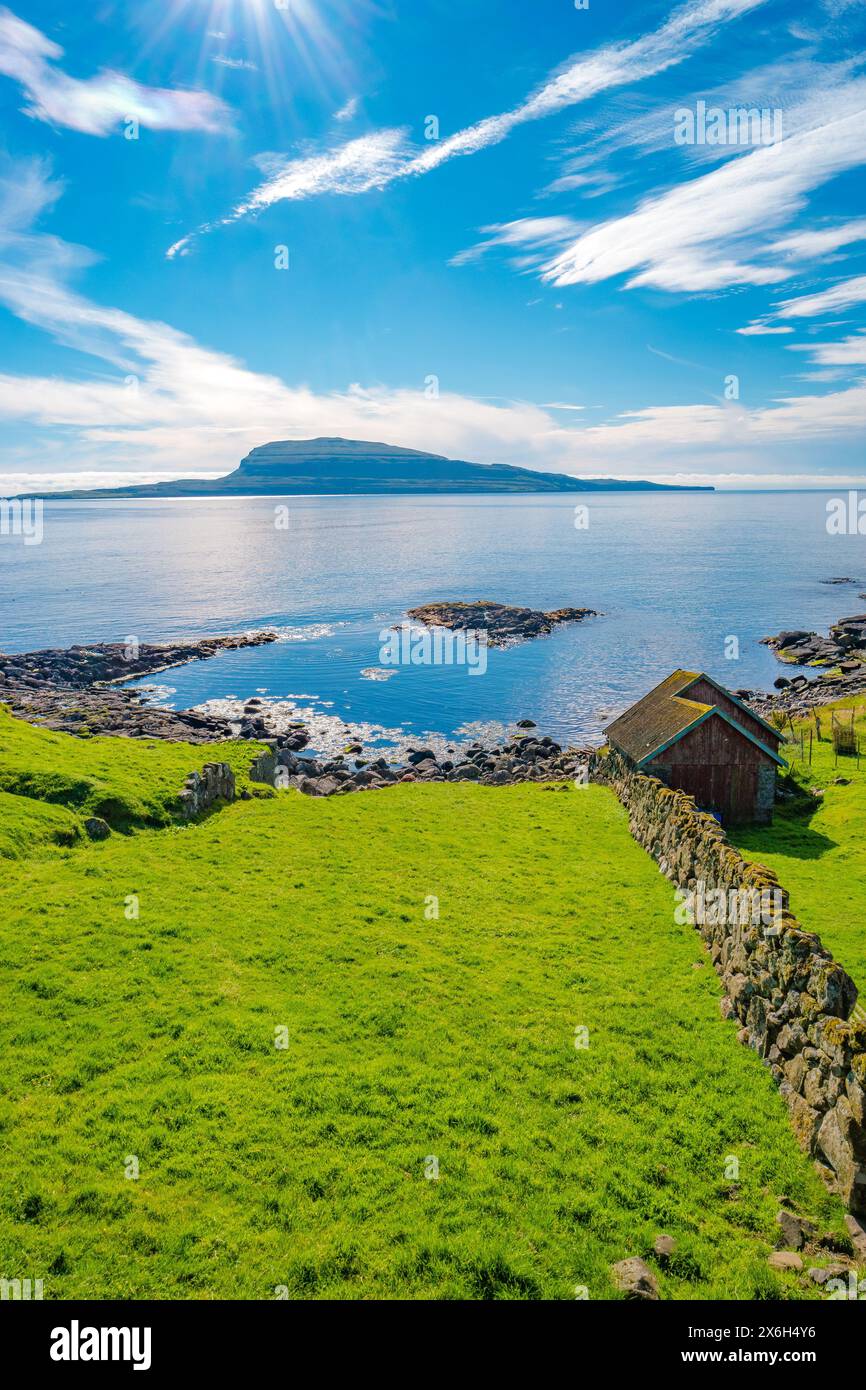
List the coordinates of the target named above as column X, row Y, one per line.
column 697, row 737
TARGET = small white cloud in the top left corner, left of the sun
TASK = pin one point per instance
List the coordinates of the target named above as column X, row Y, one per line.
column 97, row 105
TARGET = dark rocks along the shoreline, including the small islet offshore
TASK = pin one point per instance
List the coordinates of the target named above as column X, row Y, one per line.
column 80, row 692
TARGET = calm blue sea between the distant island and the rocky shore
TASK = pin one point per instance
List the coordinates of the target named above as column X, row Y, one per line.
column 673, row 575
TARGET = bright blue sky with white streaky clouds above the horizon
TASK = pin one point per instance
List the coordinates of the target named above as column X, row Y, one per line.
column 498, row 245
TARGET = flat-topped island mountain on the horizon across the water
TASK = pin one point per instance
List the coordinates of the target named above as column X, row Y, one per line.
column 347, row 466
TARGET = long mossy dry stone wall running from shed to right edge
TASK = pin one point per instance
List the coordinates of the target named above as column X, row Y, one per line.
column 792, row 999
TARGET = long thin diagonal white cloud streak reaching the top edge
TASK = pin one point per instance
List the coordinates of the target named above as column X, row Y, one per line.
column 386, row 156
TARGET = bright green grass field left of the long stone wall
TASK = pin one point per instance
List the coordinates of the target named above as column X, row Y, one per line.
column 145, row 983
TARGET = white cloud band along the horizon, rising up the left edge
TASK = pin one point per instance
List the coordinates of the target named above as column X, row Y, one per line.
column 161, row 397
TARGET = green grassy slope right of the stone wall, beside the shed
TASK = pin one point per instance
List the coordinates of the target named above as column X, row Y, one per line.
column 821, row 858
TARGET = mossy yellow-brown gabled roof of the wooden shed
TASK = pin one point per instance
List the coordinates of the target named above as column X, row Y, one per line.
column 667, row 715
